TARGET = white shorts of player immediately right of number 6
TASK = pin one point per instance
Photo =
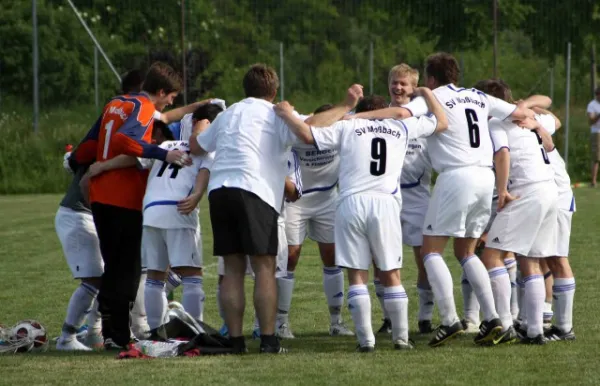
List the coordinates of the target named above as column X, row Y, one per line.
column 527, row 226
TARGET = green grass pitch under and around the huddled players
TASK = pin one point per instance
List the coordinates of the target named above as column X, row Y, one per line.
column 35, row 283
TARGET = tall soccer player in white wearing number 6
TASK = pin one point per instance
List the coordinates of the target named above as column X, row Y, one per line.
column 461, row 199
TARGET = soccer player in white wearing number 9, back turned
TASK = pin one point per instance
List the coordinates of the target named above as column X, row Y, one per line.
column 368, row 213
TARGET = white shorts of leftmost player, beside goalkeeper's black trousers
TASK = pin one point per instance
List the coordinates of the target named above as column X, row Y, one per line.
column 77, row 234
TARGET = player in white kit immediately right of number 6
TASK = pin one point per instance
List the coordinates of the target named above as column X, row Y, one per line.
column 527, row 215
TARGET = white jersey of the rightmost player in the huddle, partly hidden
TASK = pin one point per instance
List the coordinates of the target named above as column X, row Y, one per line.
column 566, row 199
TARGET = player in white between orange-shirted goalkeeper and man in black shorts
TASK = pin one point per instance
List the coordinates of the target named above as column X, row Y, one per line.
column 171, row 234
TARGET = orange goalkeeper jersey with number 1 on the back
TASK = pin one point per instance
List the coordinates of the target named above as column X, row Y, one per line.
column 121, row 187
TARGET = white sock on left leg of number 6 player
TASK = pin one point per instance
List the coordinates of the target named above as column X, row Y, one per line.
column 440, row 280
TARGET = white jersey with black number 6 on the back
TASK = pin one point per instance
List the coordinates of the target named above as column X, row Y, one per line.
column 466, row 142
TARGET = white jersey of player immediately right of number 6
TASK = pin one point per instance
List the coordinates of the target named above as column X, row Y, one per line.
column 529, row 162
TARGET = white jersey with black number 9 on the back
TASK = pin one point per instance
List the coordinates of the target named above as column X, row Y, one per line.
column 372, row 151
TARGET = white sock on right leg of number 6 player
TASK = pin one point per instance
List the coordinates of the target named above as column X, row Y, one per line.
column 480, row 281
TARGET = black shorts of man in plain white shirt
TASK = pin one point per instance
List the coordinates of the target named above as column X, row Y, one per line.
column 242, row 223
